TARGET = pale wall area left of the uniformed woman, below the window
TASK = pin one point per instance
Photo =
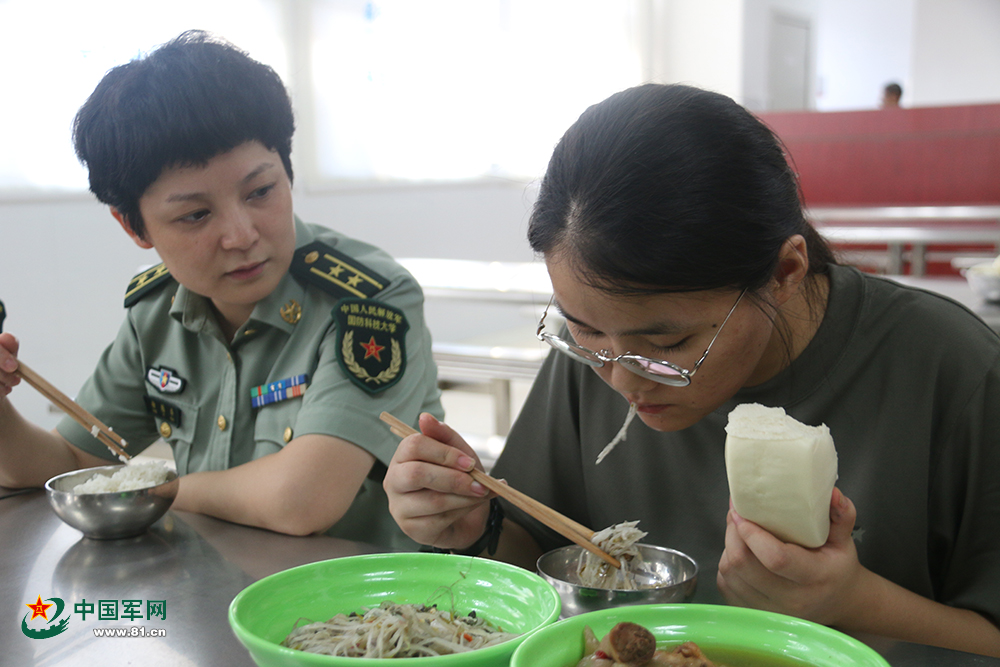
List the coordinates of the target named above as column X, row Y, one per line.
column 64, row 265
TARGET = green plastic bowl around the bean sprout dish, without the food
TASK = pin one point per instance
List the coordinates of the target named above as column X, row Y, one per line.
column 517, row 600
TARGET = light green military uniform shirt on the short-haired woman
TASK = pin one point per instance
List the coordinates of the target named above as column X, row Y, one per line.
column 170, row 373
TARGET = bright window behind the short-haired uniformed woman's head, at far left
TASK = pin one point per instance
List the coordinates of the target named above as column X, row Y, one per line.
column 59, row 51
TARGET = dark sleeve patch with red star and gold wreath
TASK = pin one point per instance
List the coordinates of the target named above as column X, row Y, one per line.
column 371, row 342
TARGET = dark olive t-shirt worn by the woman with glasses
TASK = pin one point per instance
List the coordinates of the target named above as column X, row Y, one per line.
column 908, row 383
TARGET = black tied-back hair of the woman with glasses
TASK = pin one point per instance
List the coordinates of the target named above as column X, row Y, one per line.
column 664, row 188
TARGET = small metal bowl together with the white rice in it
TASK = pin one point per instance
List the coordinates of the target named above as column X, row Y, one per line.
column 116, row 501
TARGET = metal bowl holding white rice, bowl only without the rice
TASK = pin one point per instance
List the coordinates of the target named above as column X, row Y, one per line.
column 108, row 516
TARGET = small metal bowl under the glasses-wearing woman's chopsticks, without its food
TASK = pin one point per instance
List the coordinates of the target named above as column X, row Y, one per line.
column 677, row 572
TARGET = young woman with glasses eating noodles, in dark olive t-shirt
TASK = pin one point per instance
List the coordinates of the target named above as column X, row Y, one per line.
column 690, row 282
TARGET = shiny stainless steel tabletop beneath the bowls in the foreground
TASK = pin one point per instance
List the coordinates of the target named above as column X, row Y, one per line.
column 196, row 565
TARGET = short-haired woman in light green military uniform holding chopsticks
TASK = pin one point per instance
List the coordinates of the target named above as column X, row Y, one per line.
column 261, row 348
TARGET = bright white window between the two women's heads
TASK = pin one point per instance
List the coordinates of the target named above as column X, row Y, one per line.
column 452, row 89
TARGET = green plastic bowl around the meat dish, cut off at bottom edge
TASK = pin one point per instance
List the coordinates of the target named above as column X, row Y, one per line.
column 762, row 638
